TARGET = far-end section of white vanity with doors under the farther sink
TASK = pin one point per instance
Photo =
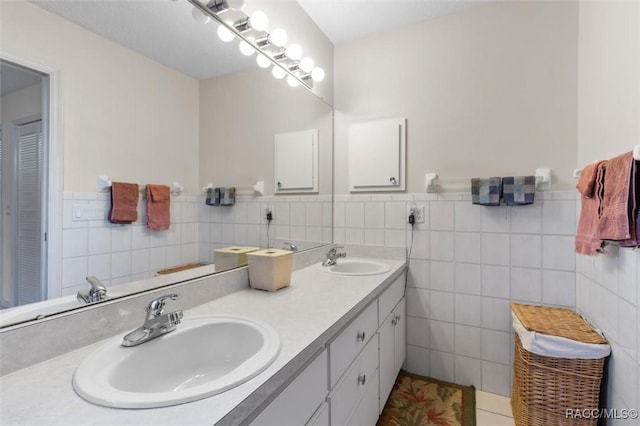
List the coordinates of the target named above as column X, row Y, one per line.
column 392, row 334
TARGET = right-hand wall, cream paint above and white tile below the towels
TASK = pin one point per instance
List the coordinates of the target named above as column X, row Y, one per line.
column 609, row 125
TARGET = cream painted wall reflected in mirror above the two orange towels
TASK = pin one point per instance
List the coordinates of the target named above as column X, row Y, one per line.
column 123, row 115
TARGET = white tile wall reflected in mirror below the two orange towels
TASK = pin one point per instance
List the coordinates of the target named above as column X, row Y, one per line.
column 121, row 253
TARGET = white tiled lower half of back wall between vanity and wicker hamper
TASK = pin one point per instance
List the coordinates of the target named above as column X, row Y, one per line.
column 467, row 263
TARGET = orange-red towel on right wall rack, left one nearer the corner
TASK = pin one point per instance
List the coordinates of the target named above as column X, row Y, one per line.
column 590, row 185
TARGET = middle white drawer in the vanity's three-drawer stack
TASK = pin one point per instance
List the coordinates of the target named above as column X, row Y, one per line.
column 351, row 388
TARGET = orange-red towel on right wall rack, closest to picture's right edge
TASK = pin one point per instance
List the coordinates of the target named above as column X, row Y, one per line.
column 614, row 222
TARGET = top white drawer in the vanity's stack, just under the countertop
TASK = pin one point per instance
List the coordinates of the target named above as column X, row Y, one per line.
column 351, row 340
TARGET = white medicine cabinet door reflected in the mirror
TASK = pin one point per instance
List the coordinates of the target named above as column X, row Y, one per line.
column 296, row 161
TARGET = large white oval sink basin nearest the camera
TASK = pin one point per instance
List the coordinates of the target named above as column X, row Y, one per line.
column 203, row 357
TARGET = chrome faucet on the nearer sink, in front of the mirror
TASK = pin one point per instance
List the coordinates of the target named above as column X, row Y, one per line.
column 156, row 322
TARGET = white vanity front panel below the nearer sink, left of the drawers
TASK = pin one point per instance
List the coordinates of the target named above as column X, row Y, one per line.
column 300, row 399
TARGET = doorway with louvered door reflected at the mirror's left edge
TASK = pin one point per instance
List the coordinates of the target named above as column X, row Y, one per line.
column 23, row 161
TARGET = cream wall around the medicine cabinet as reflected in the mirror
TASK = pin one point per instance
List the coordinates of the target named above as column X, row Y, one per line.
column 240, row 114
